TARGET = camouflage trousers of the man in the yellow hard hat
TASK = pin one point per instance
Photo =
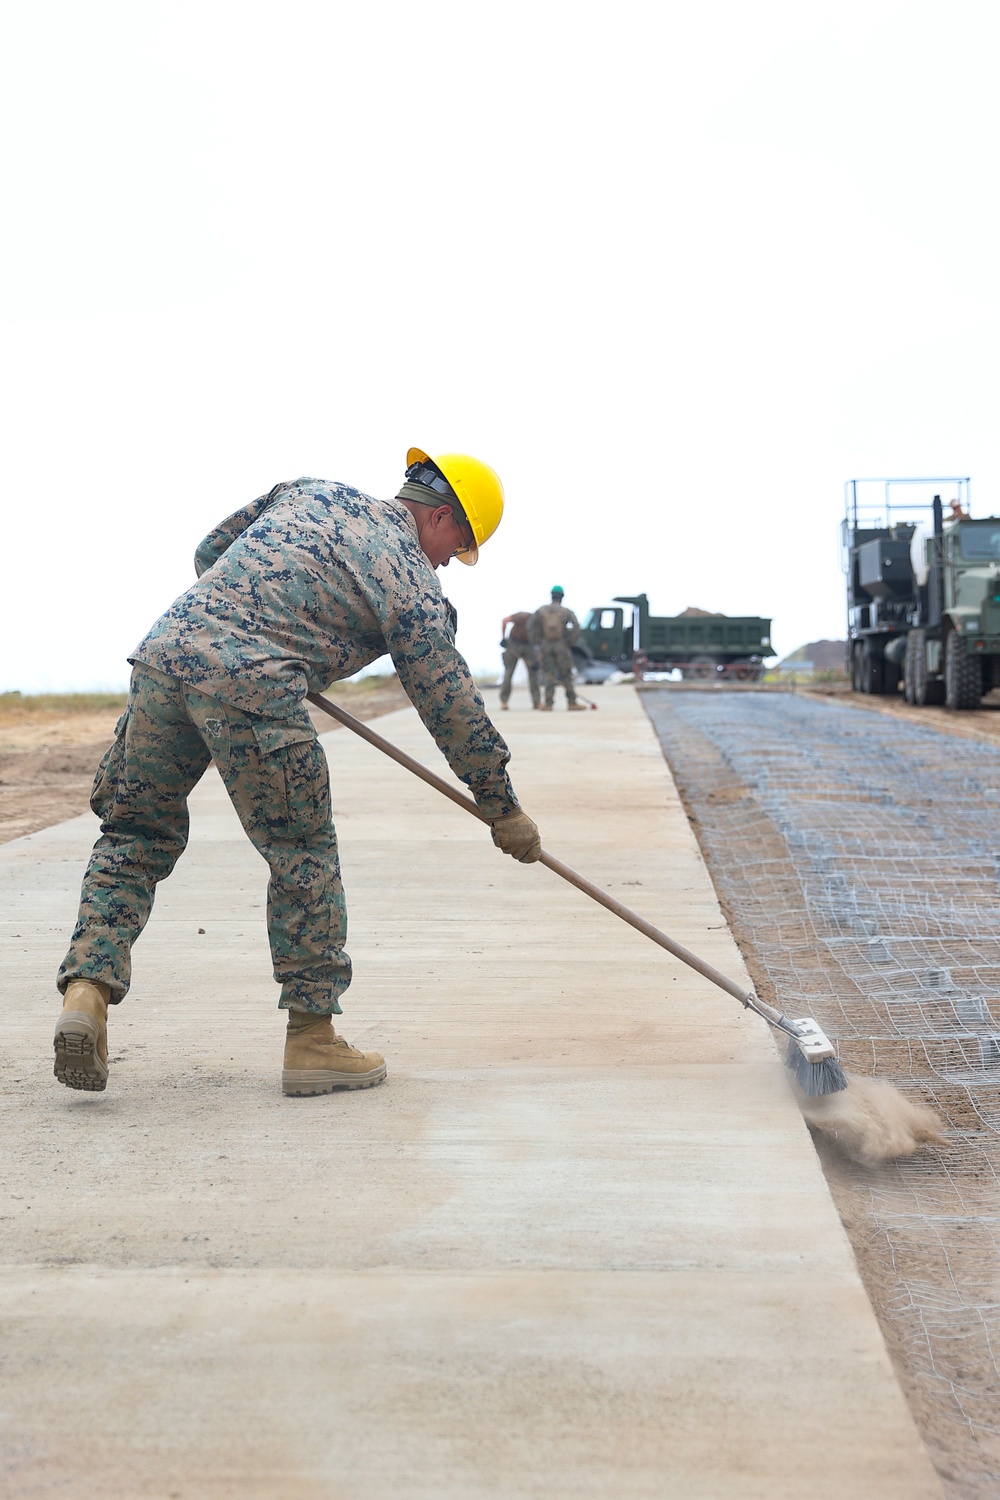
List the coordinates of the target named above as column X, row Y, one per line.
column 278, row 779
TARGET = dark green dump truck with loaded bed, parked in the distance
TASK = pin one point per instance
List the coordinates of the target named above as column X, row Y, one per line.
column 701, row 644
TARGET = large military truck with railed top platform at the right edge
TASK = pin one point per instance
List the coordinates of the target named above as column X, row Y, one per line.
column 923, row 592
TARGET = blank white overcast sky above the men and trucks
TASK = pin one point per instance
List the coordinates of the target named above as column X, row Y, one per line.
column 677, row 271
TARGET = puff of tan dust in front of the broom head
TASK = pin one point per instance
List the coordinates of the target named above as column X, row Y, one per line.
column 872, row 1123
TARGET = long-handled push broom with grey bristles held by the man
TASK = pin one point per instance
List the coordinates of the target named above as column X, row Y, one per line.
column 810, row 1055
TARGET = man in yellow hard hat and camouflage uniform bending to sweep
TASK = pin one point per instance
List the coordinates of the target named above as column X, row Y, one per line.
column 301, row 589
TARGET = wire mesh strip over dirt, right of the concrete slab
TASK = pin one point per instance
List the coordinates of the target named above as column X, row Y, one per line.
column 858, row 859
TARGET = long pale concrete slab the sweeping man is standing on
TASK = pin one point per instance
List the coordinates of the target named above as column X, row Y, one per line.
column 578, row 1246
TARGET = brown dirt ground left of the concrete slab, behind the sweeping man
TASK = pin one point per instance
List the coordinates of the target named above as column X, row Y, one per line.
column 52, row 745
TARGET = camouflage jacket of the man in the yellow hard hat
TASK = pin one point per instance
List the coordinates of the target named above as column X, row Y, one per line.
column 307, row 586
